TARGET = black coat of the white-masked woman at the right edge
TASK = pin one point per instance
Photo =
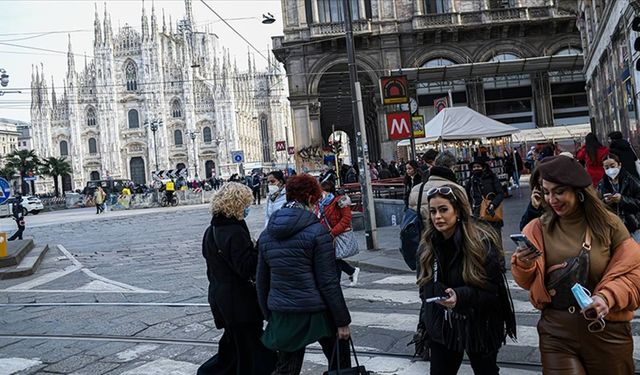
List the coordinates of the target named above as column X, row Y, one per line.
column 629, row 207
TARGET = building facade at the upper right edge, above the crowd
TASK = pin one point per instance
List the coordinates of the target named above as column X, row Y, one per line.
column 610, row 65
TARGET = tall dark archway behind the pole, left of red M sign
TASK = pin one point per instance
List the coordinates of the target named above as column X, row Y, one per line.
column 334, row 92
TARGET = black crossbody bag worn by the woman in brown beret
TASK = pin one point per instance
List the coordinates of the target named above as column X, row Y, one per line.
column 561, row 277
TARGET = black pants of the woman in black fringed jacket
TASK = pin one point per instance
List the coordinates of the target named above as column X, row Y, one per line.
column 447, row 362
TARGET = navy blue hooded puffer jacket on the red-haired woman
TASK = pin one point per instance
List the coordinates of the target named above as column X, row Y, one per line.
column 297, row 267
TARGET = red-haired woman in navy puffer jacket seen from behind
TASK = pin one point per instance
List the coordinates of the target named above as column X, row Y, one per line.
column 298, row 288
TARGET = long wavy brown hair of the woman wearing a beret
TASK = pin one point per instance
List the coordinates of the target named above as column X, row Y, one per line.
column 596, row 214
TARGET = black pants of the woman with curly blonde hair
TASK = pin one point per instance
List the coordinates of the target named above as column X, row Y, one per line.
column 240, row 351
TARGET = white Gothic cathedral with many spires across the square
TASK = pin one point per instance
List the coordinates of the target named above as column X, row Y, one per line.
column 157, row 99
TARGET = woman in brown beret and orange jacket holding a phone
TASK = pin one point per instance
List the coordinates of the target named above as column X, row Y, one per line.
column 578, row 241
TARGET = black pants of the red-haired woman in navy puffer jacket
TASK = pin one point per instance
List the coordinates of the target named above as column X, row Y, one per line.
column 290, row 363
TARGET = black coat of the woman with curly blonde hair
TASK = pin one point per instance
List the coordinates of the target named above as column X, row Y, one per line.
column 230, row 267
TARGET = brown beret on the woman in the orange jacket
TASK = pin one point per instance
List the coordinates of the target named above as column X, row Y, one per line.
column 564, row 171
